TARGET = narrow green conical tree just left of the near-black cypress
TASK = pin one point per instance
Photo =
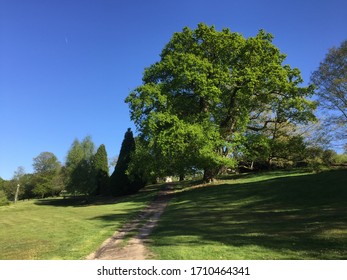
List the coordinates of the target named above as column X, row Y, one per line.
column 101, row 171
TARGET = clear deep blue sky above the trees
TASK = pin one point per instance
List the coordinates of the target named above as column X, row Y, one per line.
column 67, row 66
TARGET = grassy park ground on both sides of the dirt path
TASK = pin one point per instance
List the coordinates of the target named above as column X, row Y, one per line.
column 273, row 215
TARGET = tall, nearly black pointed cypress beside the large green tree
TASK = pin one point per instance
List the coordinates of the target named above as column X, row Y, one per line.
column 120, row 182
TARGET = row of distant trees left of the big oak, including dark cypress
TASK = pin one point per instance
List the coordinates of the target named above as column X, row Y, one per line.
column 85, row 172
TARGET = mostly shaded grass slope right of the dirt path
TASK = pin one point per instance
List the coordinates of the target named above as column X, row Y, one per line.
column 276, row 215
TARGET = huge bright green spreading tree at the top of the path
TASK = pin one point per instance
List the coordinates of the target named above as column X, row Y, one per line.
column 207, row 90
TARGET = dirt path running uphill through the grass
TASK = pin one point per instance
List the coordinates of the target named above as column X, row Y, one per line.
column 121, row 247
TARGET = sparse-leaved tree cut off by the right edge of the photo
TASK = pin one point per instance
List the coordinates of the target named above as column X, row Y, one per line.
column 331, row 82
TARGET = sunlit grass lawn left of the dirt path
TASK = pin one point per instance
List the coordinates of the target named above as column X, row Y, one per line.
column 63, row 229
